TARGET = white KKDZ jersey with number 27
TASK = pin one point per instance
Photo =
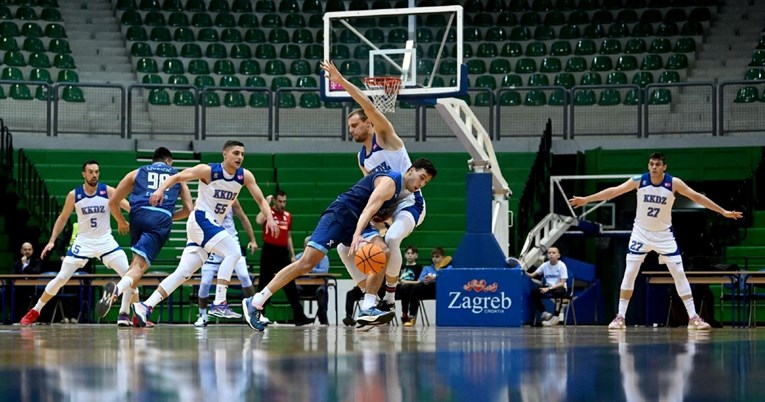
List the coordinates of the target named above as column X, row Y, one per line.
column 654, row 203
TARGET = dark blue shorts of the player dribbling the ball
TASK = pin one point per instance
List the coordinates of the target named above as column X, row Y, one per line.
column 336, row 225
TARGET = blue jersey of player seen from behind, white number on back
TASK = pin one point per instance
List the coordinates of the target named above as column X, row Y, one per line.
column 147, row 180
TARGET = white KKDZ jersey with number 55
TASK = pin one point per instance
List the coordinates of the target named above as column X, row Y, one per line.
column 217, row 196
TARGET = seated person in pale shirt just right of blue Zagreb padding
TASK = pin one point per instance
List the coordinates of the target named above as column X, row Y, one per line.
column 554, row 273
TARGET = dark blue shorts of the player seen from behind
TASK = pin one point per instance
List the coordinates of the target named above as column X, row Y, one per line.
column 149, row 231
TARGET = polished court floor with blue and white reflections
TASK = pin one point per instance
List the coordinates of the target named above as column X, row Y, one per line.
column 285, row 363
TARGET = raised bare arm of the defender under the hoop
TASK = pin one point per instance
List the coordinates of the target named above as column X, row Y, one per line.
column 386, row 134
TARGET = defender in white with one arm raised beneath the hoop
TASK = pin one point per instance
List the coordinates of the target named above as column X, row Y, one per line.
column 382, row 150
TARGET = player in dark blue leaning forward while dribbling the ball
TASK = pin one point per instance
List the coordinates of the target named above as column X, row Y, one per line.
column 343, row 222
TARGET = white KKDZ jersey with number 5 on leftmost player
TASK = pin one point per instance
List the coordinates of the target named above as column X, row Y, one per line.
column 93, row 214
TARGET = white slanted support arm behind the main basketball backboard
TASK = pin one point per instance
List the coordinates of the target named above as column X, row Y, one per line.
column 465, row 125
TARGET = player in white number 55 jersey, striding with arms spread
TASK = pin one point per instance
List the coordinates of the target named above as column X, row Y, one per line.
column 219, row 185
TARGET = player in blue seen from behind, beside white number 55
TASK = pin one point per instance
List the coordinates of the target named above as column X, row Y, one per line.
column 149, row 225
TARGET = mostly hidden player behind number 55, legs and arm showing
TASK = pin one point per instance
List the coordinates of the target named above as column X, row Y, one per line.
column 210, row 267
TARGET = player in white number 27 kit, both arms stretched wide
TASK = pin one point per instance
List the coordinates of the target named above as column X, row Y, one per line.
column 652, row 231
